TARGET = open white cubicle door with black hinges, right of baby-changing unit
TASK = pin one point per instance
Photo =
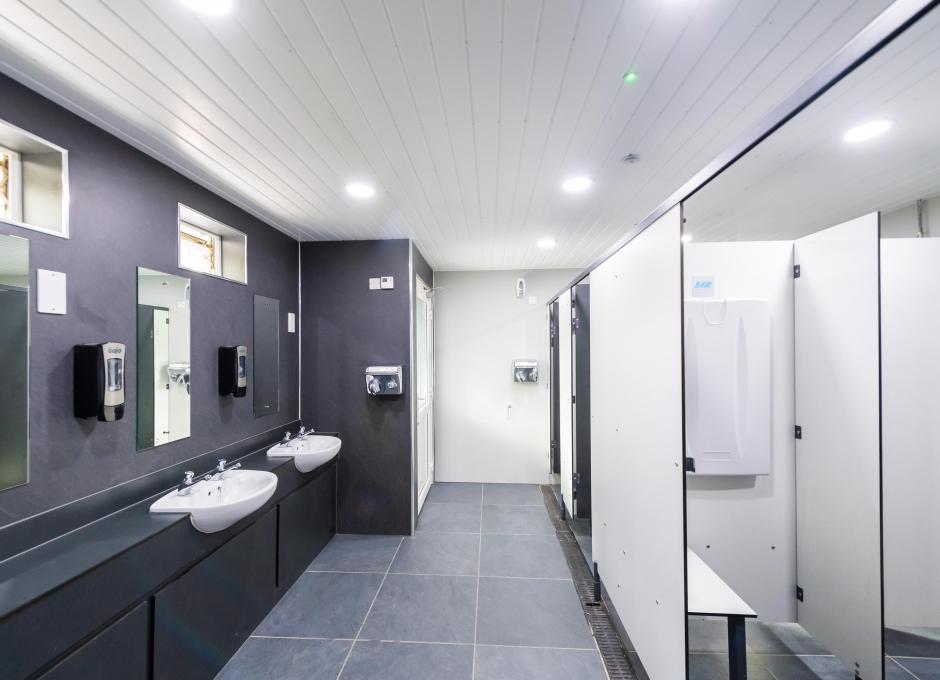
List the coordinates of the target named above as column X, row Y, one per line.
column 838, row 483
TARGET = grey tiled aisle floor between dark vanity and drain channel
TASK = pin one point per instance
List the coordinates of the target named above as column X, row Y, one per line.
column 481, row 592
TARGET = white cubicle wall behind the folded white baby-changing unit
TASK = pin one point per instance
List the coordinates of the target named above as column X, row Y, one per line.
column 744, row 528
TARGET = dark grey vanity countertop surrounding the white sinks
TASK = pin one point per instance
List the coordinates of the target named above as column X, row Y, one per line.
column 31, row 575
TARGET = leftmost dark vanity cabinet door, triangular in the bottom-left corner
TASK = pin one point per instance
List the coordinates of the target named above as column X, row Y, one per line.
column 121, row 650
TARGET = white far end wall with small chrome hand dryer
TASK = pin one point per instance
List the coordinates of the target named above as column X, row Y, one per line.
column 488, row 428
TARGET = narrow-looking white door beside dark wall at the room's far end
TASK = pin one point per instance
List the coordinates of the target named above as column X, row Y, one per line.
column 424, row 387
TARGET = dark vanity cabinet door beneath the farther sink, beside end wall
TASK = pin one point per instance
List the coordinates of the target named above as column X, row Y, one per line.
column 306, row 523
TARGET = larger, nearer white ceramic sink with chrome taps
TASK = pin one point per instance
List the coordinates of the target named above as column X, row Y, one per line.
column 217, row 504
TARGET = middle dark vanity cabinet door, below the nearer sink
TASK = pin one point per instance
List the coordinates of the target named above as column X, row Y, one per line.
column 202, row 618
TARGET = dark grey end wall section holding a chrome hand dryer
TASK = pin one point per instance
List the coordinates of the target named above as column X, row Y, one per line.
column 345, row 328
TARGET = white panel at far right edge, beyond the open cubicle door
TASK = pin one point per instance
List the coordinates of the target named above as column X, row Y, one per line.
column 910, row 326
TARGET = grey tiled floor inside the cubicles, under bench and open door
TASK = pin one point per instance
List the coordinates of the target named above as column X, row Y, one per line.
column 784, row 651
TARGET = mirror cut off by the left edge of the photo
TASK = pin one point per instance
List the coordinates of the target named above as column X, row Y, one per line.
column 14, row 349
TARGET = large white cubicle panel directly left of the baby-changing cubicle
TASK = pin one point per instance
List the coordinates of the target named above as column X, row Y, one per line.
column 638, row 491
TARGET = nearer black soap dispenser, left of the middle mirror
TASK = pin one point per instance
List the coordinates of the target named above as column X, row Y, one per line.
column 99, row 381
